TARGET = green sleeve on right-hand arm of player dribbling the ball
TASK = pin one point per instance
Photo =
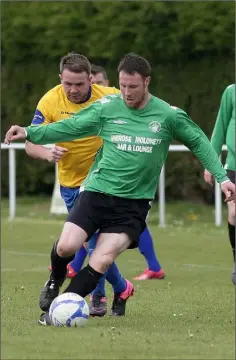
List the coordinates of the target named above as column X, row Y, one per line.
column 189, row 133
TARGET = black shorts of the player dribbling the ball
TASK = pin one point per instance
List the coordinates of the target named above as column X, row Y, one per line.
column 110, row 214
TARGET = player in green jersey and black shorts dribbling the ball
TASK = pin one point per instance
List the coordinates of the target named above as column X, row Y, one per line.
column 137, row 129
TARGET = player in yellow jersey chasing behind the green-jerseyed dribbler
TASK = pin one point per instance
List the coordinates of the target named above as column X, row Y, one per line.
column 75, row 158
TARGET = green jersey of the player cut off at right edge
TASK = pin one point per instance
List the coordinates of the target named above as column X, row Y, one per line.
column 224, row 129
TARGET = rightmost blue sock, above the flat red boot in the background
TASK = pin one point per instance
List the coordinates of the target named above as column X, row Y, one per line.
column 147, row 250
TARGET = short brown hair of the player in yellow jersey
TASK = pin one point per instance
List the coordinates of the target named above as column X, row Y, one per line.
column 76, row 63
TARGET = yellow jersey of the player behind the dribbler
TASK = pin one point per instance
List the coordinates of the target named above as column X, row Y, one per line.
column 54, row 106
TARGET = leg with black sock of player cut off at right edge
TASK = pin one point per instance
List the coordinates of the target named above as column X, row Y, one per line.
column 231, row 223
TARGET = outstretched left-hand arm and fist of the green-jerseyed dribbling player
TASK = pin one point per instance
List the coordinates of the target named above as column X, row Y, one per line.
column 87, row 122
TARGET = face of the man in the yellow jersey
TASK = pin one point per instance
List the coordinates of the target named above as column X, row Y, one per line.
column 75, row 85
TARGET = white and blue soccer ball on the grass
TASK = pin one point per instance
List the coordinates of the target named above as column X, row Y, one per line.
column 69, row 310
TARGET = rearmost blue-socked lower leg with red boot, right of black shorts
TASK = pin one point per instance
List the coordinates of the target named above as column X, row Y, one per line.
column 146, row 248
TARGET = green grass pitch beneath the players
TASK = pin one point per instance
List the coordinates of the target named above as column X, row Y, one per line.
column 189, row 315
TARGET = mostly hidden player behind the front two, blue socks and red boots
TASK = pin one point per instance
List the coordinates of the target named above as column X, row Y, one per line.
column 154, row 270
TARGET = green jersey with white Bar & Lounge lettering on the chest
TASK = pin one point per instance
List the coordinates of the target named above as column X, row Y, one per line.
column 135, row 143
